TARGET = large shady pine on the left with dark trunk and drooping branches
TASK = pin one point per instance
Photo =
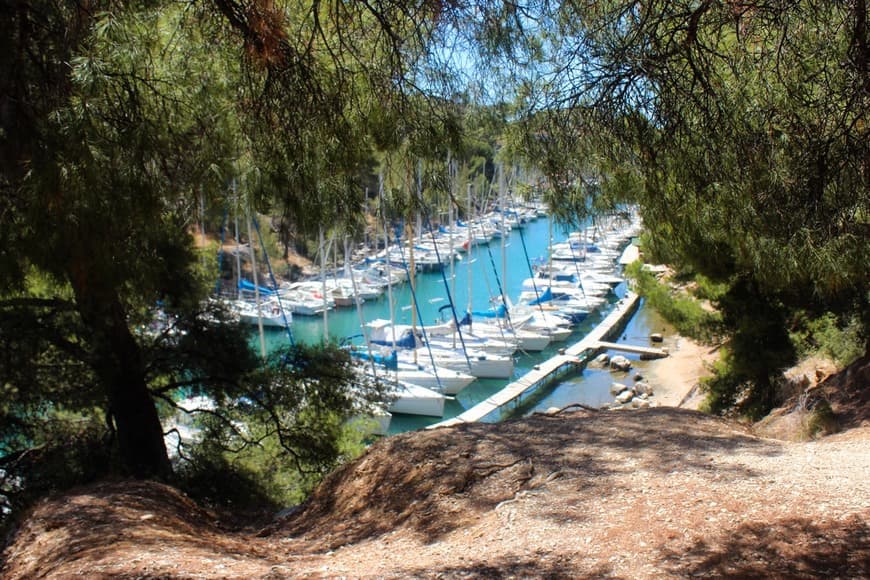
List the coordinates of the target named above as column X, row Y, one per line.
column 116, row 118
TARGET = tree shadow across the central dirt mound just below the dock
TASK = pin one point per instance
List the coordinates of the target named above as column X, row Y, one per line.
column 437, row 481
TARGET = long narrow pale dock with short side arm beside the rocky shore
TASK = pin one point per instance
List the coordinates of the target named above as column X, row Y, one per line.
column 568, row 359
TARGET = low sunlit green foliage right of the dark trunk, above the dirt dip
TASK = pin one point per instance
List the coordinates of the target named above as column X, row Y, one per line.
column 273, row 443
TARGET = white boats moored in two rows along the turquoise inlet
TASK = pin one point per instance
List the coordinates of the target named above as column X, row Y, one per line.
column 444, row 358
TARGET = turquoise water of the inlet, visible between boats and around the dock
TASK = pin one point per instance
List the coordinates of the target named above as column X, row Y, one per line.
column 344, row 322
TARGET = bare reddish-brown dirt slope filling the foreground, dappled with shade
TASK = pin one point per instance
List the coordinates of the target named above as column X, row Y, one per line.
column 648, row 494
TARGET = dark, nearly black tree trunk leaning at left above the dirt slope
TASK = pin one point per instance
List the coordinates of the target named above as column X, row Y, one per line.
column 117, row 361
